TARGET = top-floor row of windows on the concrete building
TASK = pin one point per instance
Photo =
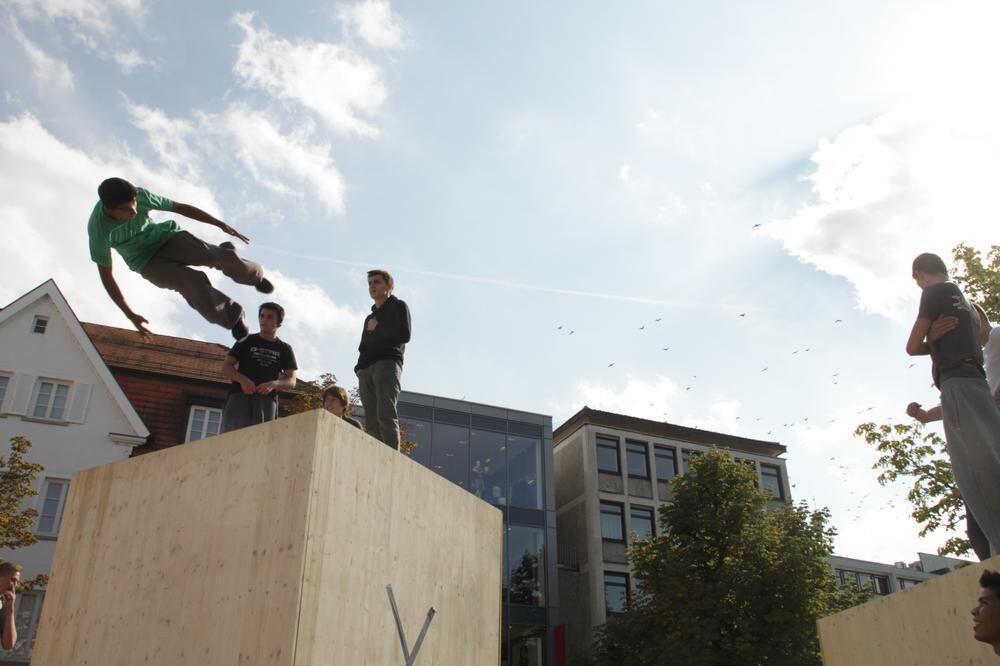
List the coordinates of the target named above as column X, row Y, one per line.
column 665, row 462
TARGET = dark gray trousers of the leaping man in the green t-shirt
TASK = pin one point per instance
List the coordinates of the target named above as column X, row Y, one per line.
column 170, row 268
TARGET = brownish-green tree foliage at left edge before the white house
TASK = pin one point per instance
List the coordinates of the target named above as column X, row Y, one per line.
column 17, row 483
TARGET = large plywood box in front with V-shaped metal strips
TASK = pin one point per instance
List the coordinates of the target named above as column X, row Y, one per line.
column 272, row 545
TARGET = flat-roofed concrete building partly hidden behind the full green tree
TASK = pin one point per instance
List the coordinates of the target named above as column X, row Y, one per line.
column 611, row 477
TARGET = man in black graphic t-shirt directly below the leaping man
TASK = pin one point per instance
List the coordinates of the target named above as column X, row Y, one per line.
column 260, row 365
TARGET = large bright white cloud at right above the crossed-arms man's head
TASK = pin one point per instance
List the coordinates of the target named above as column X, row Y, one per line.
column 916, row 179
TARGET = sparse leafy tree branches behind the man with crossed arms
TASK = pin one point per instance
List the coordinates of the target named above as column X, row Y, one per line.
column 918, row 458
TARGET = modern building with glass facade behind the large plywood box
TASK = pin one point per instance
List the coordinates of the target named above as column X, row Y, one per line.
column 504, row 457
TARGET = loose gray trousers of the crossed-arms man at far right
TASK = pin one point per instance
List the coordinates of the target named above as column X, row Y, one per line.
column 972, row 430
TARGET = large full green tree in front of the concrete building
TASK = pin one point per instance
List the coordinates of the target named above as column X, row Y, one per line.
column 727, row 581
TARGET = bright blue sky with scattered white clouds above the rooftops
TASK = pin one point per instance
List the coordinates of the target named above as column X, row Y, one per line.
column 525, row 166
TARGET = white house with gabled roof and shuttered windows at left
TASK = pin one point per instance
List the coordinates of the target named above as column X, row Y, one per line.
column 56, row 391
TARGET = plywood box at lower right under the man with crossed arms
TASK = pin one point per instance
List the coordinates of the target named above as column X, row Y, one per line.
column 929, row 624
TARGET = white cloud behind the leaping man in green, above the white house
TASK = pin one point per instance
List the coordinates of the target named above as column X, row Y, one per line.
column 49, row 224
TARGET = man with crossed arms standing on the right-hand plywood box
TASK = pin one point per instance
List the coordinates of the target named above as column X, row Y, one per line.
column 971, row 418
